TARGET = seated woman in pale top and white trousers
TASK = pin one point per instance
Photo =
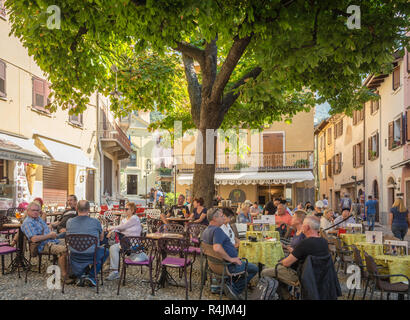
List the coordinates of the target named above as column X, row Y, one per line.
column 129, row 227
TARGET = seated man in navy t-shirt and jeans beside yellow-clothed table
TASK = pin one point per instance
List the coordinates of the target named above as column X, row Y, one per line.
column 215, row 236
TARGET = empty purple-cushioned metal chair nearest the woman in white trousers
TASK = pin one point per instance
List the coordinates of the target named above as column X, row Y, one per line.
column 137, row 245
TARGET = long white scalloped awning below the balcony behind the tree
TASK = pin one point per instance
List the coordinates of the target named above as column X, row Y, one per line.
column 261, row 178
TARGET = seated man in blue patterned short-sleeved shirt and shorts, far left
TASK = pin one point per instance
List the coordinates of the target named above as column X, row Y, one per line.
column 37, row 231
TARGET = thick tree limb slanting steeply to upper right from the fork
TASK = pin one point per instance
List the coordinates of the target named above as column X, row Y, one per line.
column 235, row 53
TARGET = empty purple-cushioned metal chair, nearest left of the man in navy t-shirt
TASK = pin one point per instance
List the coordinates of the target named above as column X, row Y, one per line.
column 178, row 249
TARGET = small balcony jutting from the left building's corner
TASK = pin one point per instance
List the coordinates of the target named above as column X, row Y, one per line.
column 114, row 140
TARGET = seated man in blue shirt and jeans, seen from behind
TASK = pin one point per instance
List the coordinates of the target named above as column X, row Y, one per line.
column 83, row 224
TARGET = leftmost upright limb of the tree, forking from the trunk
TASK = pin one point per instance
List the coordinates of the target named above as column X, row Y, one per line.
column 194, row 88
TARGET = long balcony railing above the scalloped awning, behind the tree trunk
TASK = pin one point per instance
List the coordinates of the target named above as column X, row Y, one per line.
column 258, row 162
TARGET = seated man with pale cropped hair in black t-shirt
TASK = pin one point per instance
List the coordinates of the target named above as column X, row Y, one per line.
column 313, row 245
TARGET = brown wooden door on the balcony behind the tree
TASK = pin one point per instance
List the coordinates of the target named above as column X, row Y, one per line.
column 272, row 150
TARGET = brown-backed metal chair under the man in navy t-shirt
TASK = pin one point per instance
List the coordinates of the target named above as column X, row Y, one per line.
column 216, row 265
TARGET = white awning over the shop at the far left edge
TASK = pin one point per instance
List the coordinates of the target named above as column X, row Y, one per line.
column 20, row 149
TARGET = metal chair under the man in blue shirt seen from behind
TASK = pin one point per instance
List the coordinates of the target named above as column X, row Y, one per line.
column 80, row 243
